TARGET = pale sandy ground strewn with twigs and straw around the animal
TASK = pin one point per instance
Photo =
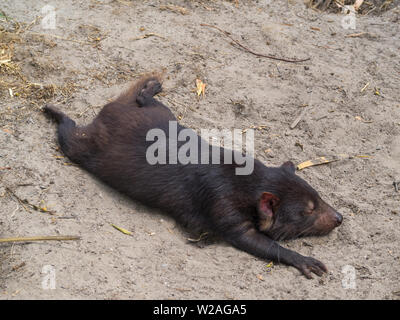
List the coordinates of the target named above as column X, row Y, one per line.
column 98, row 47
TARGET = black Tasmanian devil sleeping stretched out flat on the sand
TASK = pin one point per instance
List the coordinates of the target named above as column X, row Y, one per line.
column 249, row 211
